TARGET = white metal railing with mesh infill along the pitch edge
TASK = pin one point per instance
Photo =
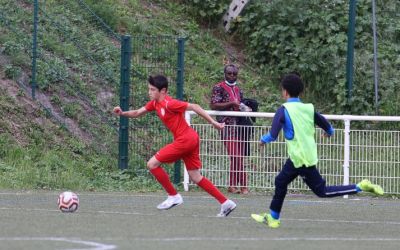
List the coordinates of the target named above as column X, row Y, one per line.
column 372, row 154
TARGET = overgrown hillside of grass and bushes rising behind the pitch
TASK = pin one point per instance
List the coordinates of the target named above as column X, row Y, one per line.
column 268, row 40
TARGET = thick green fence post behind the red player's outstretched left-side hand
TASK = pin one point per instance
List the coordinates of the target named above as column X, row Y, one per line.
column 126, row 53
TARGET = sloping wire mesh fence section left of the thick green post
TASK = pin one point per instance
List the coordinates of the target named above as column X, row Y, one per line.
column 74, row 61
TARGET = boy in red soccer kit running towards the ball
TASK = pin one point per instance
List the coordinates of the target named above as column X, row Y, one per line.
column 186, row 144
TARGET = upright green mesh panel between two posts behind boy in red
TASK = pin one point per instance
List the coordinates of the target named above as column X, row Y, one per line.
column 150, row 56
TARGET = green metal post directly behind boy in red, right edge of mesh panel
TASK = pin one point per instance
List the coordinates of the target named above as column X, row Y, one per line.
column 179, row 95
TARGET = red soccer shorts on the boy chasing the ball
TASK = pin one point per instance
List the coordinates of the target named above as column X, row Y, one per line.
column 186, row 148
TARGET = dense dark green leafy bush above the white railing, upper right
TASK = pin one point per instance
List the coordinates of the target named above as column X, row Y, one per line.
column 310, row 37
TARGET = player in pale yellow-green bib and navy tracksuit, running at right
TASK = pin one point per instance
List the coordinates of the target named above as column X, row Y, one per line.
column 298, row 122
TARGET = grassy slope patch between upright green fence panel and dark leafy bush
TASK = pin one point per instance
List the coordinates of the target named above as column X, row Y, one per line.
column 206, row 48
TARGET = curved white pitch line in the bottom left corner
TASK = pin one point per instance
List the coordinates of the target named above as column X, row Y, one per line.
column 91, row 244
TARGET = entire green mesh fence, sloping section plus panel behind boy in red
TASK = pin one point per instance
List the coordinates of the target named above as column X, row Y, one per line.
column 80, row 66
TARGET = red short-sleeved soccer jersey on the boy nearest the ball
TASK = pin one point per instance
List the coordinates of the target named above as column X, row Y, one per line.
column 171, row 112
